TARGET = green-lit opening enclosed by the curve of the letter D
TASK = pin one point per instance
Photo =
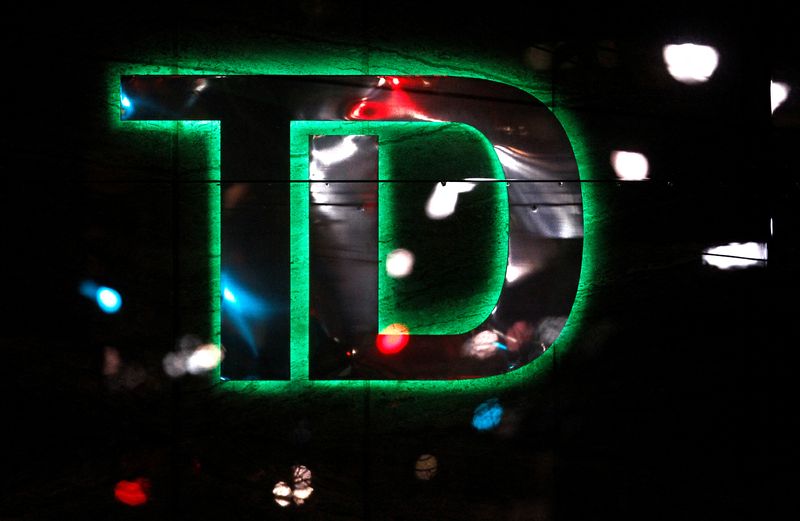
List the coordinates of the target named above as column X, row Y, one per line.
column 438, row 152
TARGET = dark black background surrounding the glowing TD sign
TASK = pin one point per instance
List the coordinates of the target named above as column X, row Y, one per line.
column 674, row 402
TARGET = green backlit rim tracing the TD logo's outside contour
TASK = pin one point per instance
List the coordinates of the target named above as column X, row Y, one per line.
column 381, row 62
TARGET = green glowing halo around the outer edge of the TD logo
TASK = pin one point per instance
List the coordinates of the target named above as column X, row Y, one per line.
column 305, row 57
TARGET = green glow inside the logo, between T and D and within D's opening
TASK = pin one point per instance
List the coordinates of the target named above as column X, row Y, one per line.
column 439, row 150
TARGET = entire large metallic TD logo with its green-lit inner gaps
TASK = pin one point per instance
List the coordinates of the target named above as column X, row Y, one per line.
column 379, row 227
